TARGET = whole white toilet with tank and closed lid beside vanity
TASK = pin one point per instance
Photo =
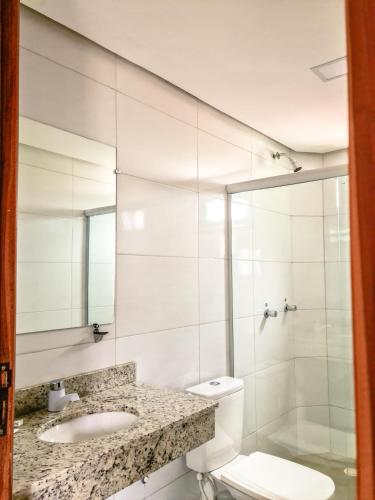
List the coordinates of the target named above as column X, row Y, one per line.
column 258, row 475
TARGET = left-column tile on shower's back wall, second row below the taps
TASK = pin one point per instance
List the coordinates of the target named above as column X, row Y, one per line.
column 311, row 381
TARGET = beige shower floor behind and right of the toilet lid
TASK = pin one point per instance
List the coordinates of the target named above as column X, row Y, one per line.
column 334, row 467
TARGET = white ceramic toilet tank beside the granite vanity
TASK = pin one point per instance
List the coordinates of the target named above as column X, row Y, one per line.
column 226, row 444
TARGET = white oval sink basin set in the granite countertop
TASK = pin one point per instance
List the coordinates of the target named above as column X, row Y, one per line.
column 88, row 427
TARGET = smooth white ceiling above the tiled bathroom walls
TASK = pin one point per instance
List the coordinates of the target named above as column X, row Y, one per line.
column 248, row 58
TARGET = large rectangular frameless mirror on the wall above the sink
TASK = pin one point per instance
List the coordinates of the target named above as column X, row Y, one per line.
column 66, row 230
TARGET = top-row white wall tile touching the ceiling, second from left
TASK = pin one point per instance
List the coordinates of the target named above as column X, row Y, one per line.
column 136, row 82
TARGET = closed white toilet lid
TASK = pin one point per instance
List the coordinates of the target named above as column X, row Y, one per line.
column 265, row 476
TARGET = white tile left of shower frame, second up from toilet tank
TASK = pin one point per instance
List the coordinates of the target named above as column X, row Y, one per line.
column 213, row 286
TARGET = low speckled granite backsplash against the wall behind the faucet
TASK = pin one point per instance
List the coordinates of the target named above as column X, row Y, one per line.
column 35, row 397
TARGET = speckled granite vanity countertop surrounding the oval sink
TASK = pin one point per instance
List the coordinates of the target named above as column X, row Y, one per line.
column 170, row 424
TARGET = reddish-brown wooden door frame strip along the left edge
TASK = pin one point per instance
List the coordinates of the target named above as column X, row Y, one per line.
column 9, row 69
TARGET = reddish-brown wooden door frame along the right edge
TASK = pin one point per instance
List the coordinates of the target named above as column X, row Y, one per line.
column 360, row 15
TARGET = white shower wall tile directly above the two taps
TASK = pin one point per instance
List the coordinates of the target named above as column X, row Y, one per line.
column 272, row 285
